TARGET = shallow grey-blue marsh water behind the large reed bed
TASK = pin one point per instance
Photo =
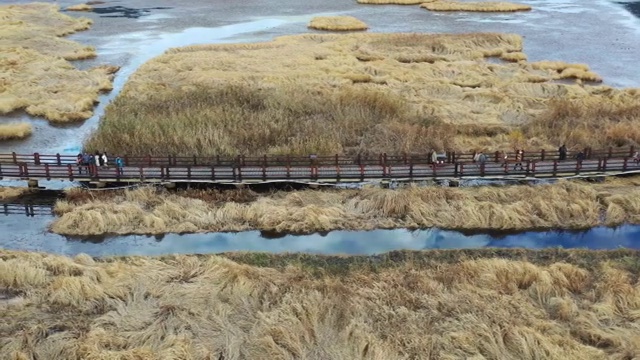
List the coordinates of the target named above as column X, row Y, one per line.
column 601, row 33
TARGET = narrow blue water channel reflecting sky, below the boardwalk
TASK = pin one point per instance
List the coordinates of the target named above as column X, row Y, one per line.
column 24, row 233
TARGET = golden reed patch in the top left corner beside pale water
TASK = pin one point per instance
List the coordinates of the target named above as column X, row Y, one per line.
column 31, row 49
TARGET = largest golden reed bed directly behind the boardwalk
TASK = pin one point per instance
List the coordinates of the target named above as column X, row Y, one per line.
column 349, row 94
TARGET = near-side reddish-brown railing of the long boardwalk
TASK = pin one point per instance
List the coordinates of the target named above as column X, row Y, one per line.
column 350, row 172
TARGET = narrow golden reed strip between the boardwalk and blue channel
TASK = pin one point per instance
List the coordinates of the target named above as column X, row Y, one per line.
column 150, row 211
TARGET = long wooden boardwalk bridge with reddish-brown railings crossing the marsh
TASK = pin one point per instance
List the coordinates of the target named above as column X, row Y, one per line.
column 316, row 169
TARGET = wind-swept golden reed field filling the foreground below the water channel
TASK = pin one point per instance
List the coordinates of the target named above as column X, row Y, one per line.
column 480, row 304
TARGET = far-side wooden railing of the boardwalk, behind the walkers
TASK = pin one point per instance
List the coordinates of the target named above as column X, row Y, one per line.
column 383, row 159
